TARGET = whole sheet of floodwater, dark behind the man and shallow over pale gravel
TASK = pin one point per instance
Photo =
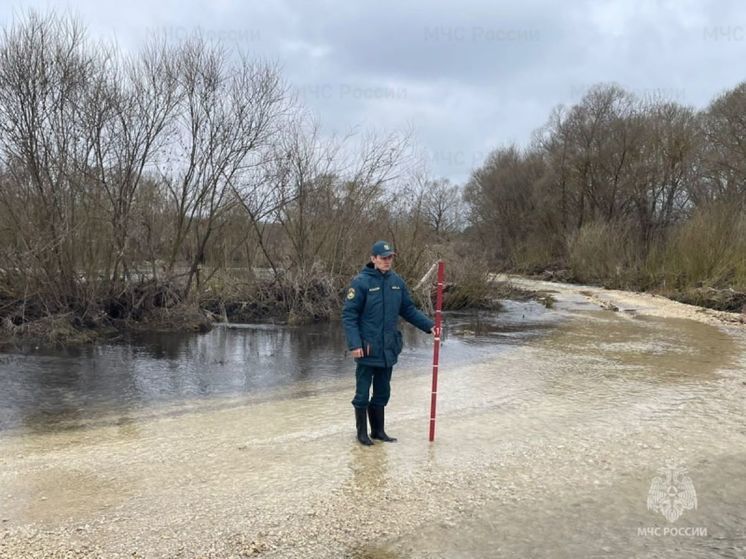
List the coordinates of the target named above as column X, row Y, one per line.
column 552, row 429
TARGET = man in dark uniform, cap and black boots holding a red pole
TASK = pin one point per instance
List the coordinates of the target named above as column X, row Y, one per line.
column 374, row 301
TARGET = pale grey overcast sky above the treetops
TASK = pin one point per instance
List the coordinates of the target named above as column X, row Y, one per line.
column 468, row 76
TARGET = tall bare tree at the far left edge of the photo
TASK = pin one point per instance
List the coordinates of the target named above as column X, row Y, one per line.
column 45, row 68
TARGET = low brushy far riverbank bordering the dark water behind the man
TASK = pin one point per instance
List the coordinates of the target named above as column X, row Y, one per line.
column 157, row 308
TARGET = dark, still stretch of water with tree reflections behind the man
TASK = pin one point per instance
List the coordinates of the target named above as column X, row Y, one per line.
column 64, row 389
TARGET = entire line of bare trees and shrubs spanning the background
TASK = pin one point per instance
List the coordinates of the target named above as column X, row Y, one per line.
column 186, row 179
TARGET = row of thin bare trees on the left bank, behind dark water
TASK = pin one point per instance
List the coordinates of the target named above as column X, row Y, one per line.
column 177, row 165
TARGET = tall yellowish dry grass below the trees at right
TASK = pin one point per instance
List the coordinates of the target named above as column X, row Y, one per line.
column 701, row 261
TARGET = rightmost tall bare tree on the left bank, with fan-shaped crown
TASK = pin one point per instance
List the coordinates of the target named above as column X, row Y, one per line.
column 225, row 115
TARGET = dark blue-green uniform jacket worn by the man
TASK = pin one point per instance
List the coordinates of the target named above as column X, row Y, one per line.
column 373, row 304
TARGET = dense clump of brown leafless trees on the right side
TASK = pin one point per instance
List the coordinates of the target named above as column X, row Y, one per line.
column 624, row 191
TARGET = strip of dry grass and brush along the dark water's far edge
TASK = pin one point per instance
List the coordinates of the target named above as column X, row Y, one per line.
column 229, row 297
